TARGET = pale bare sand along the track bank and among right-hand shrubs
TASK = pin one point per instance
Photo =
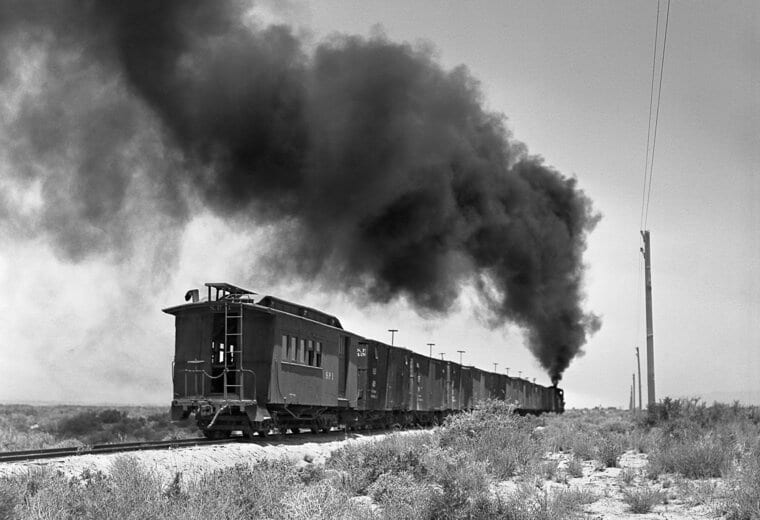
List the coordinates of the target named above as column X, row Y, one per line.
column 606, row 483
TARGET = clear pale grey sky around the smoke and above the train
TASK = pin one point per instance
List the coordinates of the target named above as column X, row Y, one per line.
column 573, row 80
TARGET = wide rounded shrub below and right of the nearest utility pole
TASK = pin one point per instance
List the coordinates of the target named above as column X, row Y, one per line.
column 706, row 457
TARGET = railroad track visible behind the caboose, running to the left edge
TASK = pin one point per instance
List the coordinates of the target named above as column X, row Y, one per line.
column 52, row 453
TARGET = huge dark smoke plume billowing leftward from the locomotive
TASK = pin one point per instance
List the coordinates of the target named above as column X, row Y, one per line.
column 389, row 174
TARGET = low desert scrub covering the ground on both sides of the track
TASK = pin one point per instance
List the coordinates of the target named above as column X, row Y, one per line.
column 488, row 463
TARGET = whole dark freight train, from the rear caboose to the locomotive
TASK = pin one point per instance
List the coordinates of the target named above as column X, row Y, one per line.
column 253, row 366
